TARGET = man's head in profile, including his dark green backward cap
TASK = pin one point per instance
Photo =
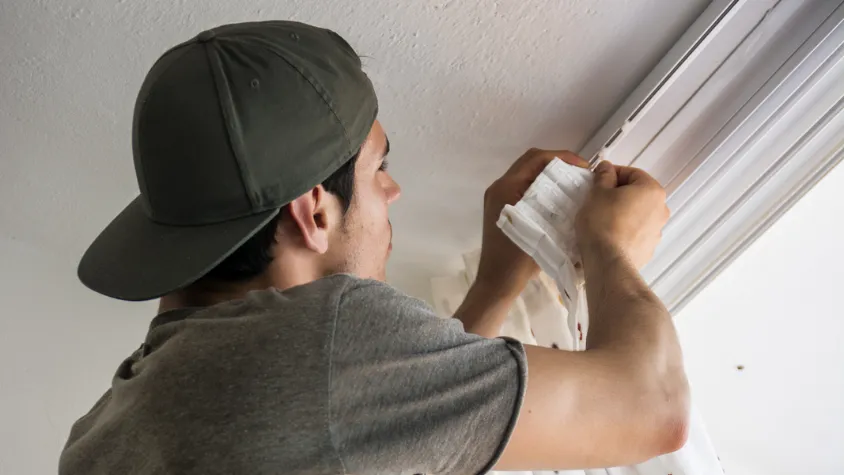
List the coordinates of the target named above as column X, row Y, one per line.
column 260, row 163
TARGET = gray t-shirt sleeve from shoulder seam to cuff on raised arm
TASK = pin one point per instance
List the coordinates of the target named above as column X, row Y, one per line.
column 413, row 393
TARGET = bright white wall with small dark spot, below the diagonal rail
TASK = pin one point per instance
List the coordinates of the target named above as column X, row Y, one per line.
column 777, row 311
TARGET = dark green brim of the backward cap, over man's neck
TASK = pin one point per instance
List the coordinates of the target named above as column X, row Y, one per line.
column 135, row 258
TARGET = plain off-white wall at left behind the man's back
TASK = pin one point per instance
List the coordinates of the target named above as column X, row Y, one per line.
column 59, row 347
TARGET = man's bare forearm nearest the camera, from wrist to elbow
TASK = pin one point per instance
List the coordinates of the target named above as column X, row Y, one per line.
column 631, row 332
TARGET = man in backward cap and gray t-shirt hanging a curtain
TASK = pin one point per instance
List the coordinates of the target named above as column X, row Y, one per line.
column 262, row 225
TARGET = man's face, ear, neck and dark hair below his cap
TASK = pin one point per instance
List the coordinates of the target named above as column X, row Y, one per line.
column 339, row 226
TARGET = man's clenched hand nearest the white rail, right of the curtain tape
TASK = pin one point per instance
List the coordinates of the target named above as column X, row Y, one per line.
column 626, row 211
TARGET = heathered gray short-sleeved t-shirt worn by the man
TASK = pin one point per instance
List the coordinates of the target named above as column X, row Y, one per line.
column 338, row 376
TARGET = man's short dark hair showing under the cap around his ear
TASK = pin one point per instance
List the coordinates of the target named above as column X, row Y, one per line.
column 255, row 255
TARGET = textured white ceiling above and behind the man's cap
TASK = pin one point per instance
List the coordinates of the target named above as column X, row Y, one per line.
column 464, row 88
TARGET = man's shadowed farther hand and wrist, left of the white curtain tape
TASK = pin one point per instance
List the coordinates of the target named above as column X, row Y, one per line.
column 504, row 268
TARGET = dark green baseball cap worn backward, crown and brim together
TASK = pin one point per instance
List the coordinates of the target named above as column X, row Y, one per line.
column 228, row 128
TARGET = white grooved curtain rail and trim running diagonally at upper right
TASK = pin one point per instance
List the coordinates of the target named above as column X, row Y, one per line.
column 739, row 120
